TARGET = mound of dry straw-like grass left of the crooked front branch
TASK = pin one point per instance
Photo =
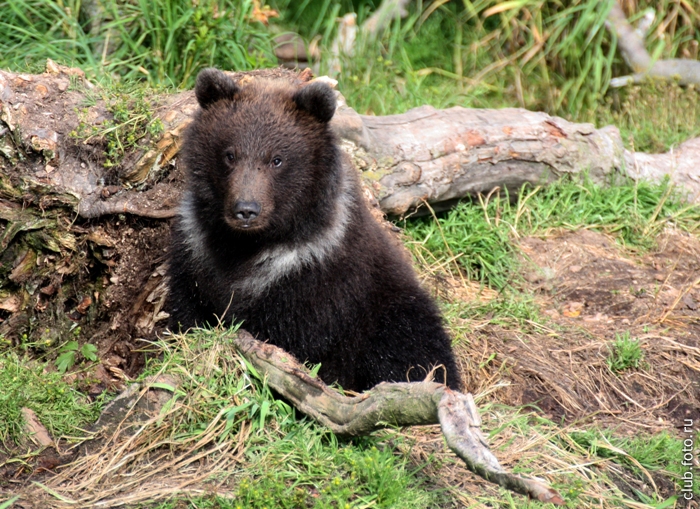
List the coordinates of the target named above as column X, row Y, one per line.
column 157, row 450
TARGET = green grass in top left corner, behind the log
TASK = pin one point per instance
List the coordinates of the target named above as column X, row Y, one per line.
column 163, row 42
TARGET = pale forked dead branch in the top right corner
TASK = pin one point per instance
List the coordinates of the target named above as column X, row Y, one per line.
column 632, row 47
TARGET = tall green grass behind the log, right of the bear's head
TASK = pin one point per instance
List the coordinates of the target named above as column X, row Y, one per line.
column 539, row 54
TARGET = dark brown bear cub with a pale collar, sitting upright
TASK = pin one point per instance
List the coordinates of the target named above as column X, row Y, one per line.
column 274, row 230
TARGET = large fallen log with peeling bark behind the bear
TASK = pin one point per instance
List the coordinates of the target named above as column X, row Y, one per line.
column 425, row 154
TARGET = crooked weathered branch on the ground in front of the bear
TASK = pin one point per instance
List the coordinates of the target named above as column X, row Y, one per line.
column 389, row 404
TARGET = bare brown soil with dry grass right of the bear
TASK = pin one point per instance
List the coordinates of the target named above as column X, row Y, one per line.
column 593, row 289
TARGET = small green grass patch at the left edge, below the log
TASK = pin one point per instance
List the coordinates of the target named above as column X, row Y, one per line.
column 27, row 383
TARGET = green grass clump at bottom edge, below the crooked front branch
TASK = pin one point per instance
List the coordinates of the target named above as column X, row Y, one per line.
column 309, row 468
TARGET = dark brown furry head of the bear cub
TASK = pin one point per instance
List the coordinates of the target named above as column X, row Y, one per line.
column 261, row 157
